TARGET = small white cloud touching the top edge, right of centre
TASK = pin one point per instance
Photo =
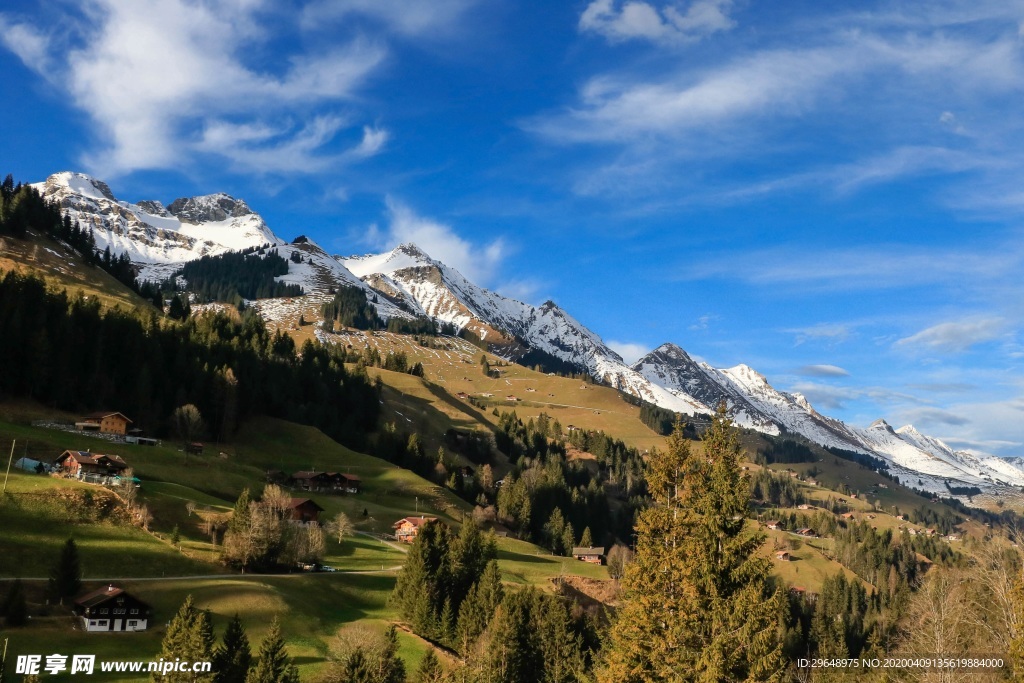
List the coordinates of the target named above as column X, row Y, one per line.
column 636, row 20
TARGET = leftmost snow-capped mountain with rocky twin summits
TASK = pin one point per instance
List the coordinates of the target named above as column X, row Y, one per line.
column 158, row 239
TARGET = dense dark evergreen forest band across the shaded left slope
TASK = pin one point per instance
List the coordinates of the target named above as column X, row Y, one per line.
column 66, row 353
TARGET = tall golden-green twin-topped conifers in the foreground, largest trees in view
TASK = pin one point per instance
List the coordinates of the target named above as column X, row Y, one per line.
column 698, row 602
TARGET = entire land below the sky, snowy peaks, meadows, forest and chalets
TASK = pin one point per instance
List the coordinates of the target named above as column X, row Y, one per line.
column 303, row 467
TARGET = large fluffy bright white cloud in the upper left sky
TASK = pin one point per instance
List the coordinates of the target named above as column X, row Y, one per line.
column 166, row 79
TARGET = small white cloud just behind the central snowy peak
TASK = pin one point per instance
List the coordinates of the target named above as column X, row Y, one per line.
column 440, row 241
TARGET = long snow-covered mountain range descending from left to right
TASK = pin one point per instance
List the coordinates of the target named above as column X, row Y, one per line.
column 408, row 283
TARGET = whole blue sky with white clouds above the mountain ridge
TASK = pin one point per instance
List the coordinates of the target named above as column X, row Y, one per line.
column 829, row 193
